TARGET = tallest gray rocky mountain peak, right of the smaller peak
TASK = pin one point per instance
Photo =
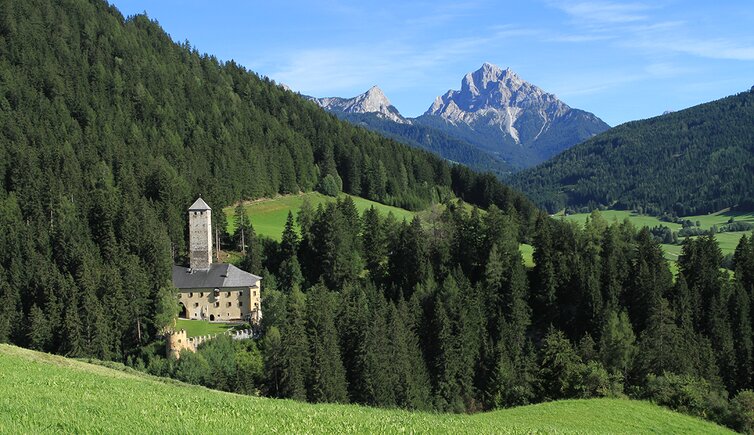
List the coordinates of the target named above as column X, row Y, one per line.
column 503, row 114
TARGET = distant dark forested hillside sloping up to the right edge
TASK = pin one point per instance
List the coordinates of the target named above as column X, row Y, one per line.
column 693, row 161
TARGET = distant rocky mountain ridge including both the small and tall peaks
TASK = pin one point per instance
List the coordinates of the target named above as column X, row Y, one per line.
column 511, row 122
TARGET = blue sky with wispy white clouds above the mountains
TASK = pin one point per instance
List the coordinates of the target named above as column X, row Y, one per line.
column 620, row 60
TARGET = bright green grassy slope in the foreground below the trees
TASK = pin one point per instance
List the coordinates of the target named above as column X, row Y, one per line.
column 43, row 392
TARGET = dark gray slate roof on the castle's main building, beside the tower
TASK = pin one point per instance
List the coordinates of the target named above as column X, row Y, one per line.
column 219, row 275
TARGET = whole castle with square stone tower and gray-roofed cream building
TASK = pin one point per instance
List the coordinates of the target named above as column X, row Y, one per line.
column 214, row 291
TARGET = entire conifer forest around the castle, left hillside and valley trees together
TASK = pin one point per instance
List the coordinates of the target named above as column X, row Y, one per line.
column 109, row 130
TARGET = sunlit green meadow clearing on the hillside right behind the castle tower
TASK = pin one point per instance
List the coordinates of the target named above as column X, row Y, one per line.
column 268, row 215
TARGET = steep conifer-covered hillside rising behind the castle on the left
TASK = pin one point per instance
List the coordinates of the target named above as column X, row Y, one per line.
column 109, row 129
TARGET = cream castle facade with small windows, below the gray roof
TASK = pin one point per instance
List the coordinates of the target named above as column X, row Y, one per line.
column 225, row 304
